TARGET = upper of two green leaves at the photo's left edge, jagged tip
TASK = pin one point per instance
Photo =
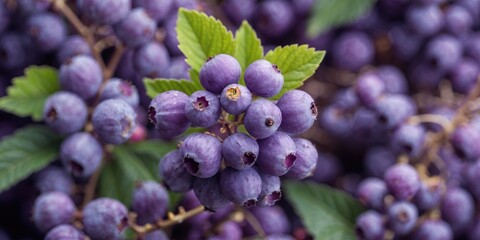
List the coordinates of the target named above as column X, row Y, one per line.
column 27, row 95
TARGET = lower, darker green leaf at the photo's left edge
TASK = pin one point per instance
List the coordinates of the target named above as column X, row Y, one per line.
column 28, row 150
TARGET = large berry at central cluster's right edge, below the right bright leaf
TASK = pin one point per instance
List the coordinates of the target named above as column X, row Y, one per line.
column 298, row 111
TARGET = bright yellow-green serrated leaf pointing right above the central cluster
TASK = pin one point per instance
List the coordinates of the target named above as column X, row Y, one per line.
column 297, row 64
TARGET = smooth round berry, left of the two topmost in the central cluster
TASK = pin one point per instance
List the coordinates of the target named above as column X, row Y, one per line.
column 218, row 72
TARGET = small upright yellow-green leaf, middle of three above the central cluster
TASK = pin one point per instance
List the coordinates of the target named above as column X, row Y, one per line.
column 249, row 47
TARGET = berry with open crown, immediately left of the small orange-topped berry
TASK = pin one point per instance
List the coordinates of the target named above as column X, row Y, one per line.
column 203, row 109
